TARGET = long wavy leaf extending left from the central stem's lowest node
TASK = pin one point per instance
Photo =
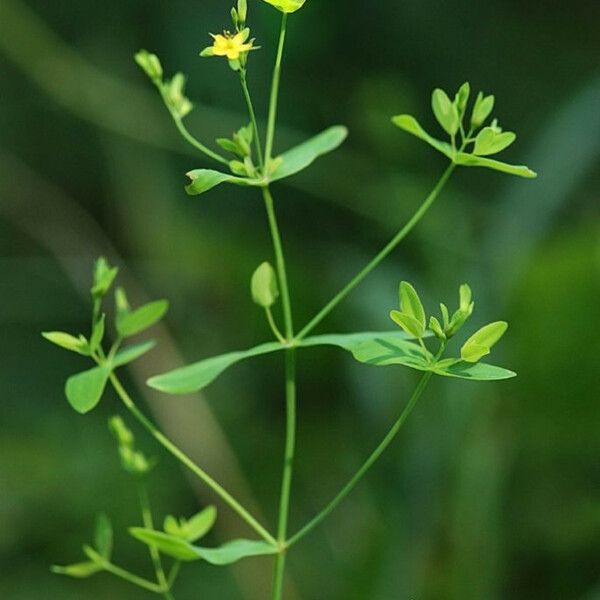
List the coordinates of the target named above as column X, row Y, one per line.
column 179, row 549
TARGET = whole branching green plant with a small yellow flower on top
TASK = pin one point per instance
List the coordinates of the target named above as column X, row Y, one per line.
column 420, row 343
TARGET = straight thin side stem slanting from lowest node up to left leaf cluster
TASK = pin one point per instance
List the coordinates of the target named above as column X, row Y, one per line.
column 188, row 462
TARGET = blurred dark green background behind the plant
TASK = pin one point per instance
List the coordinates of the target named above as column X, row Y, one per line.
column 491, row 492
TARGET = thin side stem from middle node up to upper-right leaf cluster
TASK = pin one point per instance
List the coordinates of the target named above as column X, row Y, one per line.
column 385, row 252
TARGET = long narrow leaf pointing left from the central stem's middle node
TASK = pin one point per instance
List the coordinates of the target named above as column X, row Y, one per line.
column 197, row 376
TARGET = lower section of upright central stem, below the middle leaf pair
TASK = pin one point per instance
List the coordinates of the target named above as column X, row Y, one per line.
column 286, row 483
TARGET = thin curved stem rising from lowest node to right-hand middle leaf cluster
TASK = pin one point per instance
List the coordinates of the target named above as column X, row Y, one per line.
column 387, row 440
